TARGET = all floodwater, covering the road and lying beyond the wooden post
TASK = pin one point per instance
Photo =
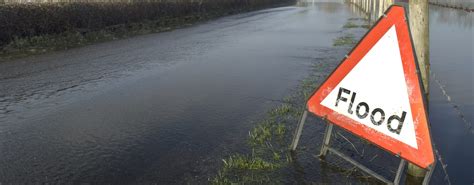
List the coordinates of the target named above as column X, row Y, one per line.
column 167, row 107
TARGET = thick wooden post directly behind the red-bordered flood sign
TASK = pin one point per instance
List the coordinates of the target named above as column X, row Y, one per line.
column 419, row 26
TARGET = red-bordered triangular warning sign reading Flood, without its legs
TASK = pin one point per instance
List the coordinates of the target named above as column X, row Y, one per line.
column 376, row 93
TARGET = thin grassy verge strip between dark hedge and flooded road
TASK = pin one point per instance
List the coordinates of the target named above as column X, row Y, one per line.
column 33, row 45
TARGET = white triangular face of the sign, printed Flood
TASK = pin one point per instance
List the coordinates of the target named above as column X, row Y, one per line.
column 375, row 93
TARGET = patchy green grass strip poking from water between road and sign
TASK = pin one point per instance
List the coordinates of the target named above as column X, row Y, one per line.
column 269, row 140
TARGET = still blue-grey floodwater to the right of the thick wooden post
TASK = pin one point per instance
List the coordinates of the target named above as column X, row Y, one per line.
column 452, row 90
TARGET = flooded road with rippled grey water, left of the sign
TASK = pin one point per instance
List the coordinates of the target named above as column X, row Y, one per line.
column 161, row 108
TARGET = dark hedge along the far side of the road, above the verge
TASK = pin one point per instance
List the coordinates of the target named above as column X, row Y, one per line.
column 23, row 20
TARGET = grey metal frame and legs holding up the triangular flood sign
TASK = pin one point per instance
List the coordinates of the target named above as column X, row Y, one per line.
column 325, row 148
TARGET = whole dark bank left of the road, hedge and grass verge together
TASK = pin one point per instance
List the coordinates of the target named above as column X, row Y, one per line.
column 37, row 28
